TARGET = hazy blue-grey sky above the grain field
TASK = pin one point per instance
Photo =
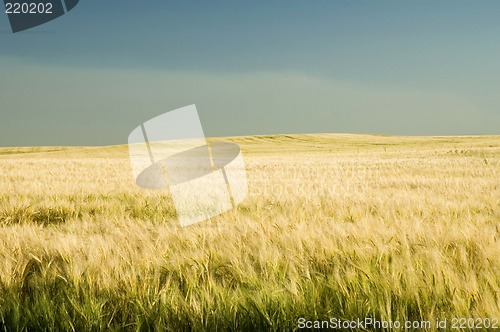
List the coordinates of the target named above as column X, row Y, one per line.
column 253, row 67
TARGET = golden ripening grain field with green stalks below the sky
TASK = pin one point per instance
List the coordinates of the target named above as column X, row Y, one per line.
column 334, row 226
